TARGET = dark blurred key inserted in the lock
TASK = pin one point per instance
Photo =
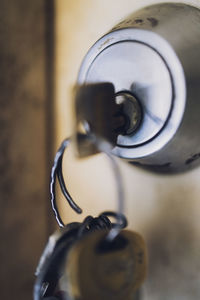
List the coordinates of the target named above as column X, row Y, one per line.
column 97, row 112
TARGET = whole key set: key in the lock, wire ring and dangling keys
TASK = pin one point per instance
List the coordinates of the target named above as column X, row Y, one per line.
column 96, row 259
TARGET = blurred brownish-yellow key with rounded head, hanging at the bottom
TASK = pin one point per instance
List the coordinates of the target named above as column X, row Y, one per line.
column 98, row 269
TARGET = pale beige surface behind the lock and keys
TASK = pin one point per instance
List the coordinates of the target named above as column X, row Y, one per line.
column 166, row 210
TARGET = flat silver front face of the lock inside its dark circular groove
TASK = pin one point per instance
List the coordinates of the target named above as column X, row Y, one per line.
column 134, row 66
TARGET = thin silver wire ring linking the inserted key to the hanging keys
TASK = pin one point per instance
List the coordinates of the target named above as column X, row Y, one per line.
column 57, row 172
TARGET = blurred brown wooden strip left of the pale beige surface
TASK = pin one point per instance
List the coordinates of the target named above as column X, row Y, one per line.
column 26, row 44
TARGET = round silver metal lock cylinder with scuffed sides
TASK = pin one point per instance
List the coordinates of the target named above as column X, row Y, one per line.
column 152, row 59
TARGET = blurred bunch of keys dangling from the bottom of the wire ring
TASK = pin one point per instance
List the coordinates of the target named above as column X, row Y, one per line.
column 81, row 262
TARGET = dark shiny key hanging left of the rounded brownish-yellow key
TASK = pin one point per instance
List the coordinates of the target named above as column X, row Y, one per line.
column 50, row 268
